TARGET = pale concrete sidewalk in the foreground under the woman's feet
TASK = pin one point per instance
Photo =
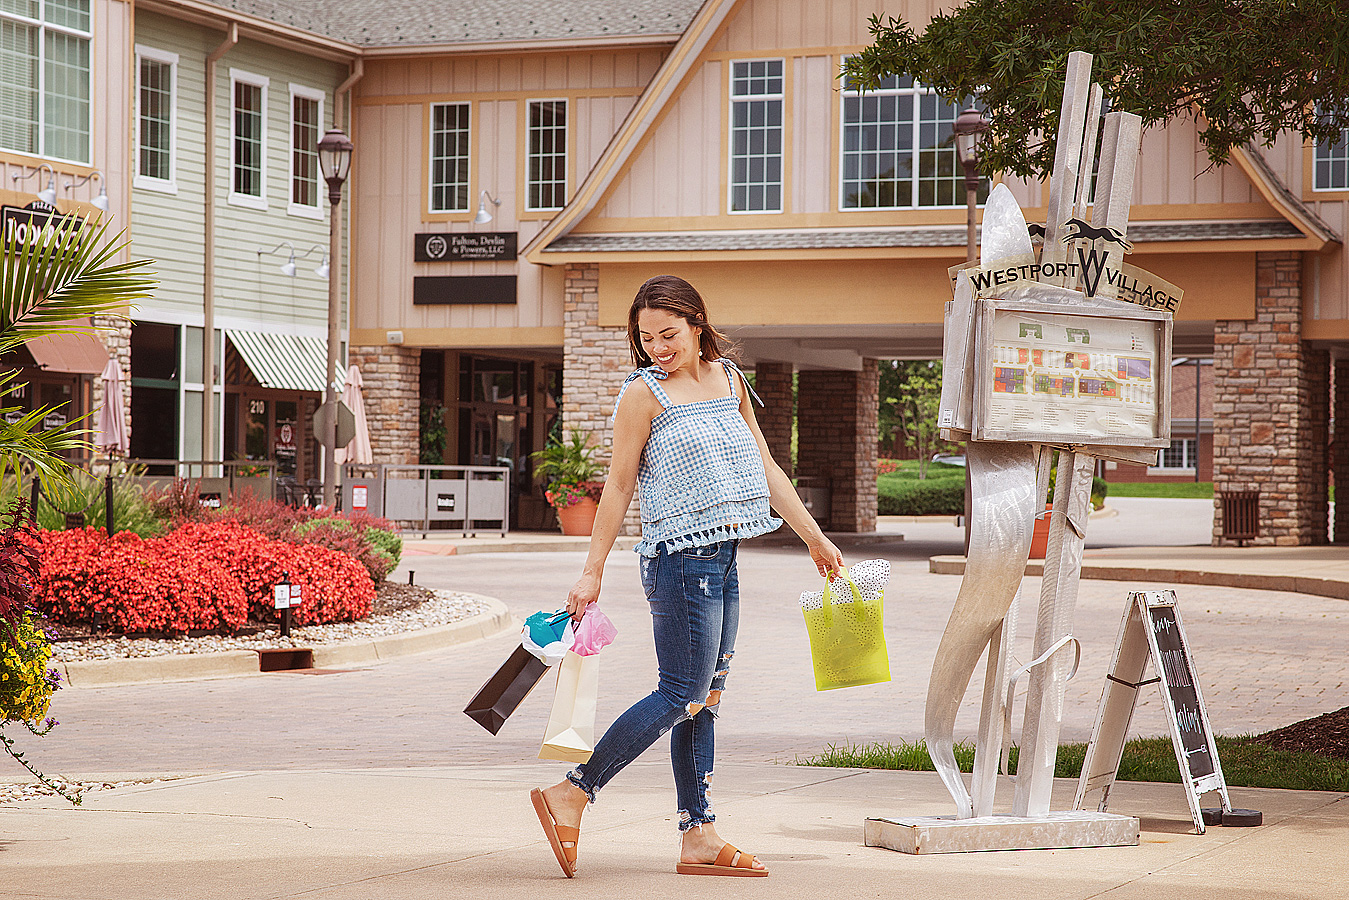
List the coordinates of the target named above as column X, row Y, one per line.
column 471, row 833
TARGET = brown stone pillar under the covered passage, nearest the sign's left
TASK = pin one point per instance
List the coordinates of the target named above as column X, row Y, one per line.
column 837, row 441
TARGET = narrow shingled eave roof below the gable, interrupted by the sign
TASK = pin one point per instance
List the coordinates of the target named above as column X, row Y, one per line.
column 938, row 237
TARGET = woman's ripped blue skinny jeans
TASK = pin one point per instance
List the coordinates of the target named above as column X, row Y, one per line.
column 695, row 605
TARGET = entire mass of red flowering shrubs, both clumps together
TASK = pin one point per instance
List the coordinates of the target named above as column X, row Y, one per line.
column 207, row 577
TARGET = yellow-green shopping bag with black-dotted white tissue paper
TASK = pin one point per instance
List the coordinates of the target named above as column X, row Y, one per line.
column 848, row 639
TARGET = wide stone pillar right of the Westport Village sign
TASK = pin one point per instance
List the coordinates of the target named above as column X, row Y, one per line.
column 1271, row 411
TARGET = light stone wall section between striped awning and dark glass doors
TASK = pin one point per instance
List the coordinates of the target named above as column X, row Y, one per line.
column 392, row 389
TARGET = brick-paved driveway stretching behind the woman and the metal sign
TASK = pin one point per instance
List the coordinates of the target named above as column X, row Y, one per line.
column 1265, row 660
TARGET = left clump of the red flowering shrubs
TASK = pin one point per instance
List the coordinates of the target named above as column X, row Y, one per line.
column 136, row 585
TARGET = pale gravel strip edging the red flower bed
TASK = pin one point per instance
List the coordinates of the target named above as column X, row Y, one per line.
column 447, row 608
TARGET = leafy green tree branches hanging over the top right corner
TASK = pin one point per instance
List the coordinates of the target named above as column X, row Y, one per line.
column 1247, row 69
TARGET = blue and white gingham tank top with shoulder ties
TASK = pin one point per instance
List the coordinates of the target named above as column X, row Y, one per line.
column 701, row 478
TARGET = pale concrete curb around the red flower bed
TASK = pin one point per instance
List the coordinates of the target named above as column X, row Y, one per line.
column 188, row 667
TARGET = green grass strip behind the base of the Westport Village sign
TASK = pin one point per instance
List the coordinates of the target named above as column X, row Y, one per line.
column 1246, row 763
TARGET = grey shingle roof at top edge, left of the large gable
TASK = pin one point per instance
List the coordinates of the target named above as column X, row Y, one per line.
column 376, row 24
